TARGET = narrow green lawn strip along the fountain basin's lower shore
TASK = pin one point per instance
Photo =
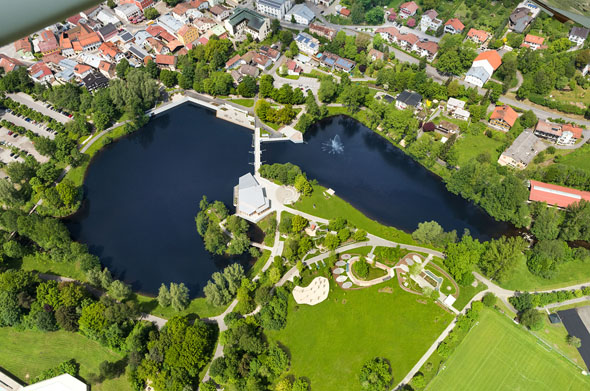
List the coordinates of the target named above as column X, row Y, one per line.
column 330, row 208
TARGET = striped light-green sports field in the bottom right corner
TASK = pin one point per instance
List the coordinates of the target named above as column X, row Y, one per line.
column 499, row 355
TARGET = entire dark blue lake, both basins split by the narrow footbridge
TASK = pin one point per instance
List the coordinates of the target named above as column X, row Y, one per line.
column 142, row 192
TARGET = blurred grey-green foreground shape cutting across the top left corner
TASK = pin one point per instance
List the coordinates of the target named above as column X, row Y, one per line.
column 23, row 17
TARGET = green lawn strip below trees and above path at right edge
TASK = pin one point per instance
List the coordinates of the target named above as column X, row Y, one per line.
column 569, row 273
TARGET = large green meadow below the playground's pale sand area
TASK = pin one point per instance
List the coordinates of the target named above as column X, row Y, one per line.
column 330, row 342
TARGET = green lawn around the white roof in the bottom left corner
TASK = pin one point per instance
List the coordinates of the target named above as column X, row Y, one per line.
column 26, row 354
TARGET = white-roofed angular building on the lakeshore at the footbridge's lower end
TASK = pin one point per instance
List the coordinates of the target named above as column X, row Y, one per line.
column 250, row 199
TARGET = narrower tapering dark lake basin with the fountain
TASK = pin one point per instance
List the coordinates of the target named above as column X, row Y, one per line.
column 379, row 179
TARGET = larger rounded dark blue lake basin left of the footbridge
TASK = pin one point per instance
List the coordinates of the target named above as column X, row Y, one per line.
column 142, row 194
